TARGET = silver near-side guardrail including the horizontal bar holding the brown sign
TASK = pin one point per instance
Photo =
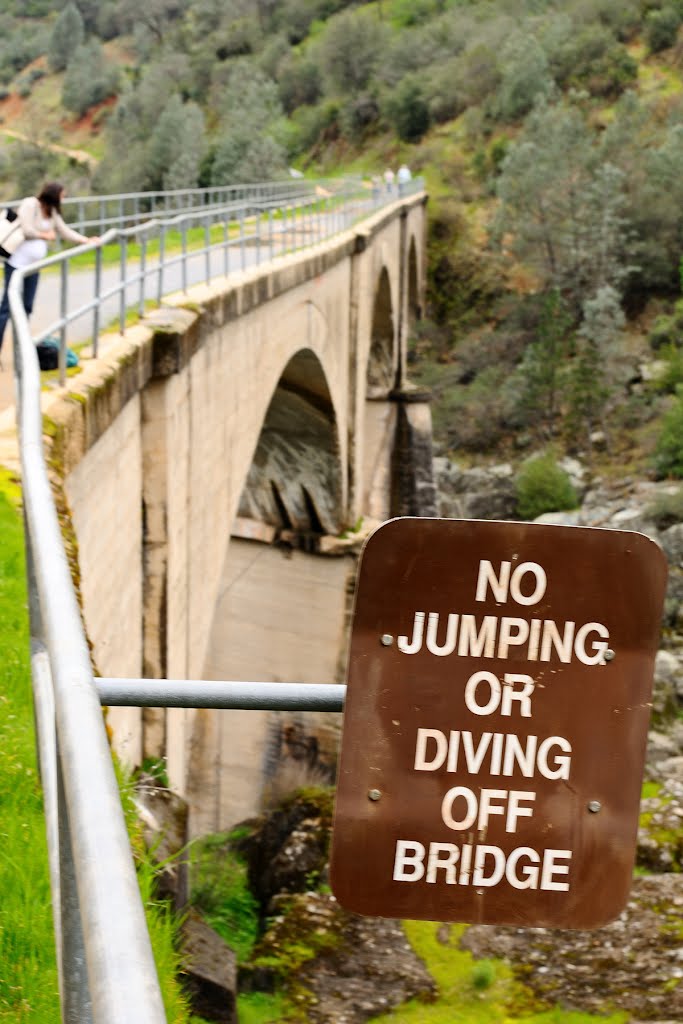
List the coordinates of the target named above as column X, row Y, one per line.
column 107, row 969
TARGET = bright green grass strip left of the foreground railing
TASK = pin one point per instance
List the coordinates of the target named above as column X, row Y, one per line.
column 28, row 970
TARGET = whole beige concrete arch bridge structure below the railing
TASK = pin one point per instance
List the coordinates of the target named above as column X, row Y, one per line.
column 272, row 406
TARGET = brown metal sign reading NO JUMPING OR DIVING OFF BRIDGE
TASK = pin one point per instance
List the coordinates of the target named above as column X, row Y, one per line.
column 496, row 722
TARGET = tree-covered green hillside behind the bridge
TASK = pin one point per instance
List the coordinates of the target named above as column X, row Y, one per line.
column 550, row 134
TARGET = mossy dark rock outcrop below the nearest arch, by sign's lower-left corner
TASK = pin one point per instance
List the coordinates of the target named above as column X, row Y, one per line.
column 337, row 967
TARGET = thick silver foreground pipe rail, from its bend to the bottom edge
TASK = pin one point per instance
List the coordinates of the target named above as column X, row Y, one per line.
column 102, row 916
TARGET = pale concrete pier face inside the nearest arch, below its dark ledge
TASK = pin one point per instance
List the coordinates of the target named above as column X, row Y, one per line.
column 280, row 618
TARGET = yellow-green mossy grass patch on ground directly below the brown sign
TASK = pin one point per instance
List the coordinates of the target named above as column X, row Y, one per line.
column 474, row 992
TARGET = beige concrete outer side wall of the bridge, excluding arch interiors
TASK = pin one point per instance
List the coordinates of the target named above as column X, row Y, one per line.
column 152, row 445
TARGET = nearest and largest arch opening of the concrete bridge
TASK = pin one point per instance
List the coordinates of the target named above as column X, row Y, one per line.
column 281, row 614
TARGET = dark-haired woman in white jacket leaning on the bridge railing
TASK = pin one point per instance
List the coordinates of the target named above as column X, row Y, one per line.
column 38, row 222
